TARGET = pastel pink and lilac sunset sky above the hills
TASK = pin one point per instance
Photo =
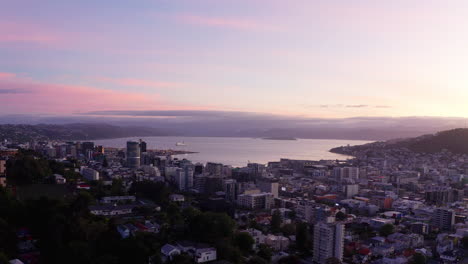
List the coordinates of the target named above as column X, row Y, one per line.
column 307, row 58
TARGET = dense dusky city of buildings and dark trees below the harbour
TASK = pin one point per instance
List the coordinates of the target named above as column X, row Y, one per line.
column 76, row 202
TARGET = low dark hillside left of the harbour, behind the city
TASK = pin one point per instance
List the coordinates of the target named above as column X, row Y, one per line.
column 77, row 131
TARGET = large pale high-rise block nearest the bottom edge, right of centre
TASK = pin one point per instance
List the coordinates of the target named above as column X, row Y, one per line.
column 328, row 241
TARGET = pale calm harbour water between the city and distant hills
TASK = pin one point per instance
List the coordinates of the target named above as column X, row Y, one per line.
column 239, row 151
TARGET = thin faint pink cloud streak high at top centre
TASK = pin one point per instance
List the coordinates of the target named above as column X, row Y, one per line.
column 233, row 23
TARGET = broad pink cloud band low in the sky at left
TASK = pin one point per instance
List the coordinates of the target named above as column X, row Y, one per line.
column 20, row 95
